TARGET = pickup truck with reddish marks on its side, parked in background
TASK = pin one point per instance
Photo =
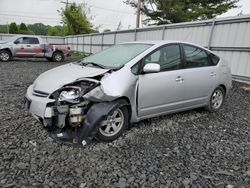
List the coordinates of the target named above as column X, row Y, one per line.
column 32, row 47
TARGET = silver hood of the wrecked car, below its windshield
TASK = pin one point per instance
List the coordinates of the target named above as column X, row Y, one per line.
column 55, row 78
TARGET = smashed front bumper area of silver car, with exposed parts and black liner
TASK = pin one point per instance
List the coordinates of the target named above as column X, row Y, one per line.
column 73, row 124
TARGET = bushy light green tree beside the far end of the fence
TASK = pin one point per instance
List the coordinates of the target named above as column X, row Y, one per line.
column 76, row 20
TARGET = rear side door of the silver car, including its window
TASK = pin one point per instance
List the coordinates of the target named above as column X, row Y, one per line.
column 200, row 75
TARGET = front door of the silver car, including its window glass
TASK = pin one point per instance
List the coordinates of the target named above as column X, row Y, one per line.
column 163, row 91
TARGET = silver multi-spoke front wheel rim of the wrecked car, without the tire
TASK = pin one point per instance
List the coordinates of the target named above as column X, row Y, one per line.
column 112, row 124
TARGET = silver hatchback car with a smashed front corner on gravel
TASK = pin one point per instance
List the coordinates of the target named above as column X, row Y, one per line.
column 99, row 96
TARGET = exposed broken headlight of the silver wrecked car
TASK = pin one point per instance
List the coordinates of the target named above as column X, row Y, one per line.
column 70, row 94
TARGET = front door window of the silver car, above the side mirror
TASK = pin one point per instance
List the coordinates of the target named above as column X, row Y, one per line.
column 168, row 57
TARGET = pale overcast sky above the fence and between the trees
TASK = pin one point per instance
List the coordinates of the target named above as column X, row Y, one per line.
column 105, row 13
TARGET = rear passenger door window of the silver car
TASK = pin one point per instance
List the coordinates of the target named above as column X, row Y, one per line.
column 195, row 57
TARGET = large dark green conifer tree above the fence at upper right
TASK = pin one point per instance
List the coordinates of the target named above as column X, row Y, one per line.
column 175, row 11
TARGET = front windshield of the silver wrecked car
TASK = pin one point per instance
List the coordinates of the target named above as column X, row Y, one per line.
column 117, row 56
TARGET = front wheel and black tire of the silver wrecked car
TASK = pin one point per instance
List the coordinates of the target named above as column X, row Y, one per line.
column 106, row 132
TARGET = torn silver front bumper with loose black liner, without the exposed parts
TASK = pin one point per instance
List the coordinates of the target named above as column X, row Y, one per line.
column 42, row 108
